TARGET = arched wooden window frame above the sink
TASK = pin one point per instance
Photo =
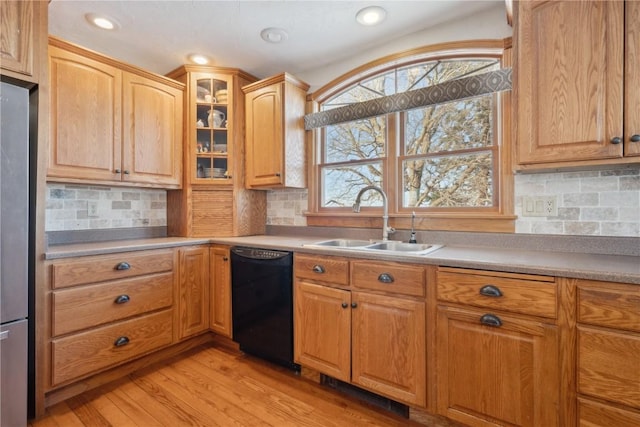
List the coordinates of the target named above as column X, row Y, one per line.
column 497, row 218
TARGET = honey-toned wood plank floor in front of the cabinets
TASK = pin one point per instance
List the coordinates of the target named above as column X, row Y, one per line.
column 217, row 386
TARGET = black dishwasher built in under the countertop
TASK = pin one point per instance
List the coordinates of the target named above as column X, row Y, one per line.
column 262, row 303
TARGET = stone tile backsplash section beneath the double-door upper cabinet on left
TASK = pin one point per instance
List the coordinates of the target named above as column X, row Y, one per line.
column 71, row 207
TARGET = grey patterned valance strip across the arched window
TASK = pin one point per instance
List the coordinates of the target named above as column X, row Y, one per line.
column 467, row 87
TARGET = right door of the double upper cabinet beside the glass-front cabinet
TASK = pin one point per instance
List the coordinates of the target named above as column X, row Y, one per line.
column 152, row 137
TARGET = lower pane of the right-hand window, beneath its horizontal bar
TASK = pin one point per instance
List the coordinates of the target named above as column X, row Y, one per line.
column 451, row 181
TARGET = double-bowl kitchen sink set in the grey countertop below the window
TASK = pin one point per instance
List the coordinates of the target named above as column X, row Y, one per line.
column 390, row 247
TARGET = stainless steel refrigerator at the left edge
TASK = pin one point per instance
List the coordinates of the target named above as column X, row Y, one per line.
column 14, row 253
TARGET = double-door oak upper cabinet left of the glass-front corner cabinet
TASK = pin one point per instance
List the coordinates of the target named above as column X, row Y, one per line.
column 112, row 124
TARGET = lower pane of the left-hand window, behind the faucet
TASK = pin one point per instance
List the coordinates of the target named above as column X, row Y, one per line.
column 341, row 184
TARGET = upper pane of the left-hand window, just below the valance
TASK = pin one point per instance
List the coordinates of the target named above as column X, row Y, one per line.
column 359, row 140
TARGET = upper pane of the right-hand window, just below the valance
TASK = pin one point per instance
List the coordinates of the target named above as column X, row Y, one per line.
column 452, row 126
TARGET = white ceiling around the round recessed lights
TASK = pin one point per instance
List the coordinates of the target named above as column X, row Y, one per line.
column 160, row 35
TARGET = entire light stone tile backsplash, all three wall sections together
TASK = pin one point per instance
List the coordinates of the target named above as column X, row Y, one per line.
column 594, row 203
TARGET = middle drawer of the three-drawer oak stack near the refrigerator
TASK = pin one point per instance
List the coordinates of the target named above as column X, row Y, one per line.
column 88, row 306
